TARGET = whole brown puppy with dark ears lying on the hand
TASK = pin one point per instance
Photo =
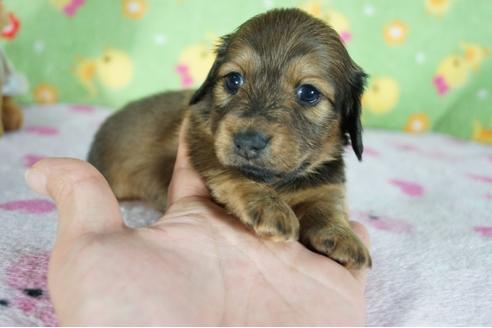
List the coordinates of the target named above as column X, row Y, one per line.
column 266, row 132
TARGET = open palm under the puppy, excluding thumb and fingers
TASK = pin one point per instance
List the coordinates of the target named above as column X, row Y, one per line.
column 200, row 266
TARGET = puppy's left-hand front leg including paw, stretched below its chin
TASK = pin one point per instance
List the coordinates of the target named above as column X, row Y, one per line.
column 256, row 205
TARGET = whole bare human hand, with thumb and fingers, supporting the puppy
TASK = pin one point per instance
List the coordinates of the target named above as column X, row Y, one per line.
column 195, row 266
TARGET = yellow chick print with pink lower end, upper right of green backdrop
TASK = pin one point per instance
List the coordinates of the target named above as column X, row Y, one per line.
column 454, row 70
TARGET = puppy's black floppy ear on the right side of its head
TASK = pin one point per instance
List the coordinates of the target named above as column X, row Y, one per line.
column 351, row 108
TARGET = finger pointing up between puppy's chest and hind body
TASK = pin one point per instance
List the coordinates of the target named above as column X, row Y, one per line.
column 185, row 182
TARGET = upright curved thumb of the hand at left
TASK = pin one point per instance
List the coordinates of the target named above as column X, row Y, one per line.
column 84, row 199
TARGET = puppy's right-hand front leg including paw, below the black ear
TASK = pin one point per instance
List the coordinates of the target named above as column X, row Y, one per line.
column 325, row 229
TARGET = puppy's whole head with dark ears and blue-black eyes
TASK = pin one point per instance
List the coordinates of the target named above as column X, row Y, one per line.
column 282, row 97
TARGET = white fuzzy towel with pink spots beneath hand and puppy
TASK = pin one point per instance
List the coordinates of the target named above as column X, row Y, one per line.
column 426, row 200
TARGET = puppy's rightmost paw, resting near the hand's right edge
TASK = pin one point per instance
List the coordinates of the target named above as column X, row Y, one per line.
column 340, row 244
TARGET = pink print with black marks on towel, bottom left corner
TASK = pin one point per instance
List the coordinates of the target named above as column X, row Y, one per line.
column 27, row 276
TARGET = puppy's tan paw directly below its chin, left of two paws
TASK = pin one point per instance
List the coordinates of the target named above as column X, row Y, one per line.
column 273, row 219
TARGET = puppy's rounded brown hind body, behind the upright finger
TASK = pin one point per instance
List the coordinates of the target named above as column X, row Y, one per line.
column 135, row 149
